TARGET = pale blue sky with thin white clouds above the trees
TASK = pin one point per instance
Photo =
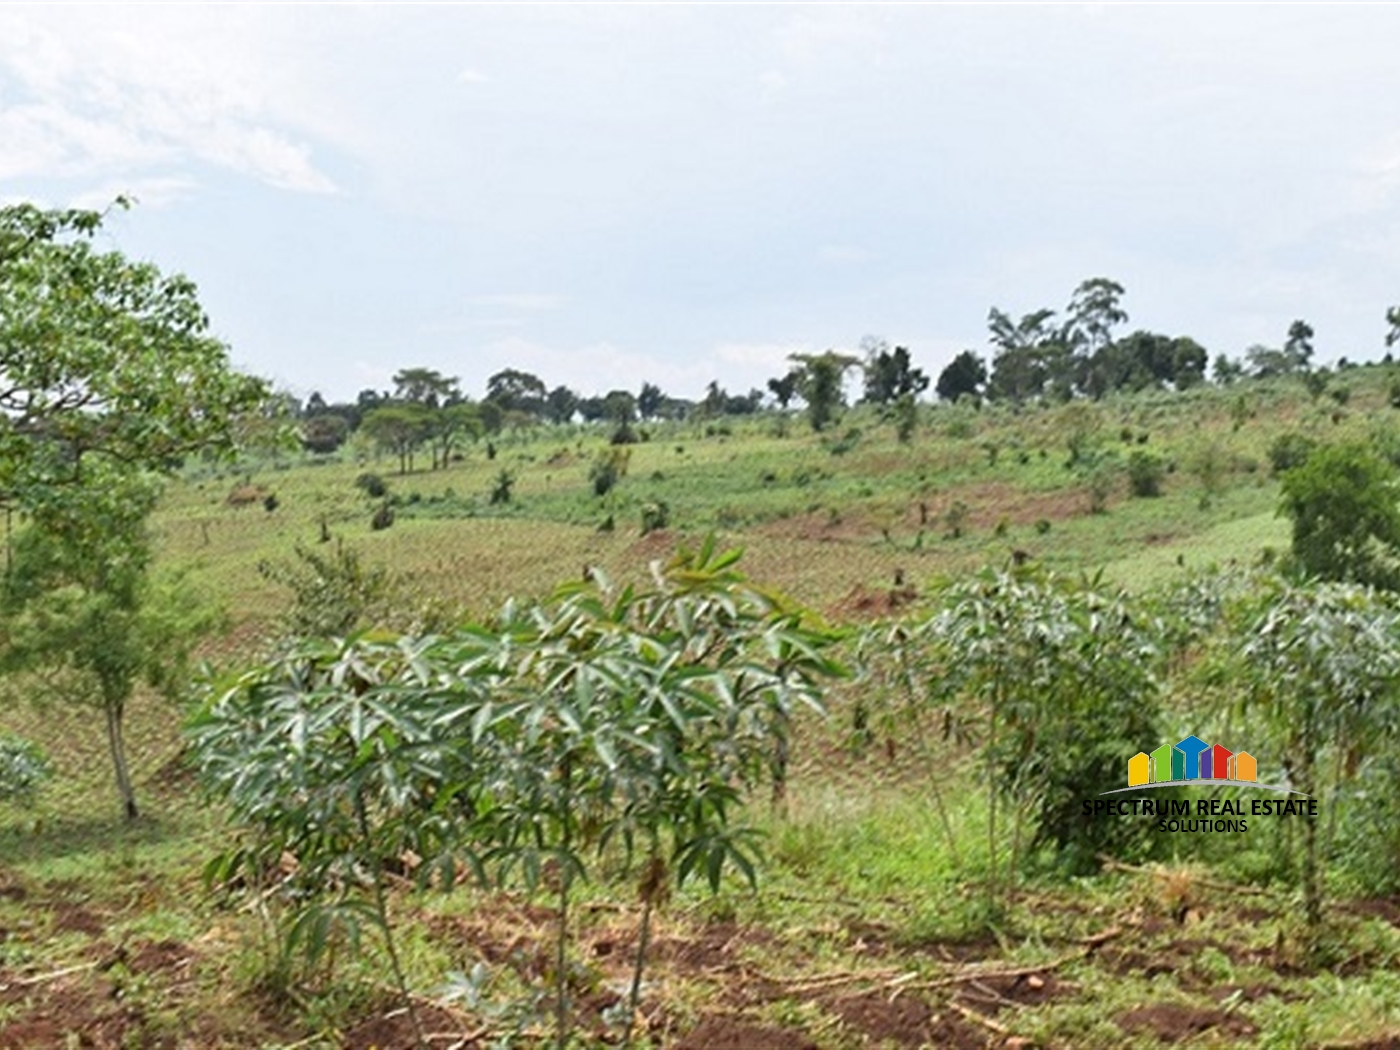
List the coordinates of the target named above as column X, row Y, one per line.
column 608, row 197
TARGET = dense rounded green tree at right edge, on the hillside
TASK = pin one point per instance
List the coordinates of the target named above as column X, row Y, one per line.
column 1342, row 500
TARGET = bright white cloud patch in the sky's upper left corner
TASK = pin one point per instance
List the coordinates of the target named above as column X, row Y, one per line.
column 96, row 97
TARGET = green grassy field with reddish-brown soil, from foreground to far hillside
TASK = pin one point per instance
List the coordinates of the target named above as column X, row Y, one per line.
column 866, row 930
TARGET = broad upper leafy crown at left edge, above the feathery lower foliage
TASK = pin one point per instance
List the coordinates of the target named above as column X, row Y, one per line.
column 103, row 358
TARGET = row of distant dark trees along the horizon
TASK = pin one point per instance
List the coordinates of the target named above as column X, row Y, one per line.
column 1045, row 355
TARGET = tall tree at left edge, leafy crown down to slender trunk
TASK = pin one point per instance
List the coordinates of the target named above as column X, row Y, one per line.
column 111, row 379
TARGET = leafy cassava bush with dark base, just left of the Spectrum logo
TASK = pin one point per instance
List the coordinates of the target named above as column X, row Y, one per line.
column 1060, row 726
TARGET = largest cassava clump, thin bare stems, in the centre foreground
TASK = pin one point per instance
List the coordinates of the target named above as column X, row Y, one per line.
column 604, row 722
